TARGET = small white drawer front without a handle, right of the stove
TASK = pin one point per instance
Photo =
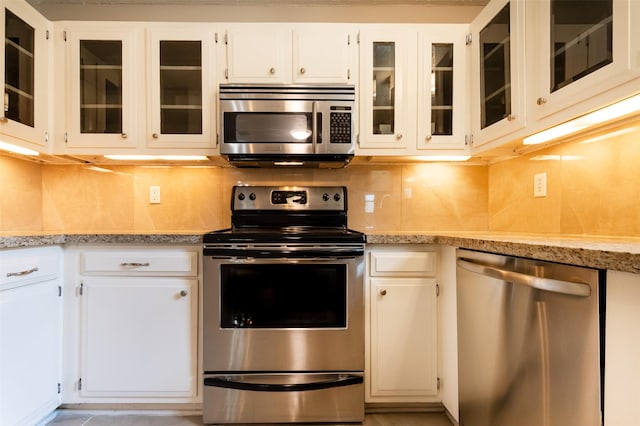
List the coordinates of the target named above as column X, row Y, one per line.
column 403, row 263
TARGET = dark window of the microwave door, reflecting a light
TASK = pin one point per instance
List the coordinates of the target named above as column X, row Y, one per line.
column 270, row 127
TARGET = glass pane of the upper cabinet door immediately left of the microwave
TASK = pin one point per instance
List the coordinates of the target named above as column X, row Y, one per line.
column 181, row 87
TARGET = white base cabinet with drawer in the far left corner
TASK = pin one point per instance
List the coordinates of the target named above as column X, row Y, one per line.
column 30, row 334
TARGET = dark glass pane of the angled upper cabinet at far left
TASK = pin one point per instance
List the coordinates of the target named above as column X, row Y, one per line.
column 19, row 70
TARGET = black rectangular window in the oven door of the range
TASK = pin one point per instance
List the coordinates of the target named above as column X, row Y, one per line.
column 283, row 296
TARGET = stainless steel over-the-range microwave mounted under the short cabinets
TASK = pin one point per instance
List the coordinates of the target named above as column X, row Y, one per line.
column 284, row 125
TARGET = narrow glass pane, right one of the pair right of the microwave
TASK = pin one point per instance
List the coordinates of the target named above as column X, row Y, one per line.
column 442, row 89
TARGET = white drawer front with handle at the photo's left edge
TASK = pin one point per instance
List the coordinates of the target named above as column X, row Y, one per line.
column 21, row 266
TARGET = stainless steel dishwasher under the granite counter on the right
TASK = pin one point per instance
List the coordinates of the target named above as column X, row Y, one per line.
column 529, row 342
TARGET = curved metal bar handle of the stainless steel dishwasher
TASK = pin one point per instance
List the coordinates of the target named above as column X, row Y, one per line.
column 539, row 283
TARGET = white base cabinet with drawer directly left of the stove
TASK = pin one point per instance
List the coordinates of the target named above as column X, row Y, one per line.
column 138, row 315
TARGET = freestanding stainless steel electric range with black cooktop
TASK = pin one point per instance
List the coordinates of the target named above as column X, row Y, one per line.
column 284, row 309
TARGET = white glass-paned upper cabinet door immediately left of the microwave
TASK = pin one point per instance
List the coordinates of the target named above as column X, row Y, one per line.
column 180, row 88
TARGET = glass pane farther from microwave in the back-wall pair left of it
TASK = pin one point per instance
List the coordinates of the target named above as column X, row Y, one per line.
column 101, row 86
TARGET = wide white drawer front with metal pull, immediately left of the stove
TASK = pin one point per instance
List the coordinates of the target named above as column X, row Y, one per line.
column 140, row 262
